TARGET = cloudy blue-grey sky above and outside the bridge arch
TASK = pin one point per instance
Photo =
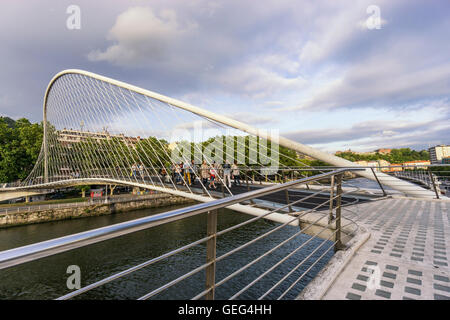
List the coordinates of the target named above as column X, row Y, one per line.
column 319, row 71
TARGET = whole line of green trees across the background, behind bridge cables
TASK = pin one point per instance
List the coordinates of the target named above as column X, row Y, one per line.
column 20, row 145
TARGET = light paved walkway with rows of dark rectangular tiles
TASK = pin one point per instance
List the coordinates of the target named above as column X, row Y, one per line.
column 406, row 256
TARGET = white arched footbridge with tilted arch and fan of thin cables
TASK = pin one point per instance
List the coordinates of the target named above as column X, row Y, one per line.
column 99, row 130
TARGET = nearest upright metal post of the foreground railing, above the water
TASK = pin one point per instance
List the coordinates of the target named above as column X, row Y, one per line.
column 211, row 254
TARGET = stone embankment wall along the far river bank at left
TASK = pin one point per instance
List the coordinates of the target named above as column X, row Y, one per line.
column 83, row 210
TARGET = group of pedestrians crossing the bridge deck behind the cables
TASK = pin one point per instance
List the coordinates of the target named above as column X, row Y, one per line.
column 210, row 174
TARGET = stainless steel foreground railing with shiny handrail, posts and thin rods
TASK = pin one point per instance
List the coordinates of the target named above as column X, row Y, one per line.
column 325, row 222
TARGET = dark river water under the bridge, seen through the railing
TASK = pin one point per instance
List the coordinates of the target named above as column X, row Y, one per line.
column 46, row 278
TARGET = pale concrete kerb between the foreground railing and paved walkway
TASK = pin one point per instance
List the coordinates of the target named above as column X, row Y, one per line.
column 322, row 282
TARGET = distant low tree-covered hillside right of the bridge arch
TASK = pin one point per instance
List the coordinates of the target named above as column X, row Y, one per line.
column 396, row 156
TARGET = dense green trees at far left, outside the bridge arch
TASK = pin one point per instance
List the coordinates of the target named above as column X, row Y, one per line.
column 20, row 144
